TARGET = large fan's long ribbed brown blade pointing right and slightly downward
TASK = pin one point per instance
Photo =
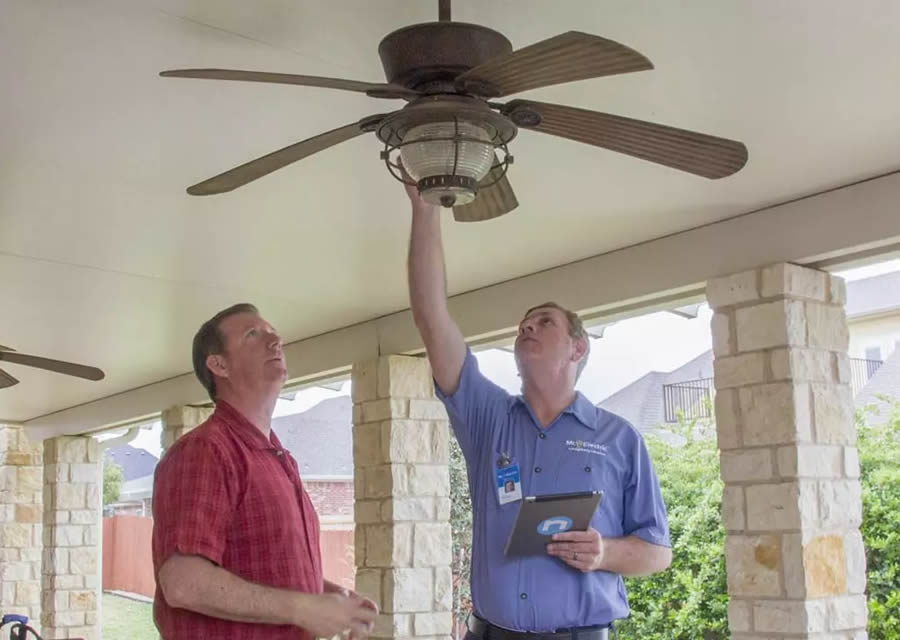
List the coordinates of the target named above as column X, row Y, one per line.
column 697, row 153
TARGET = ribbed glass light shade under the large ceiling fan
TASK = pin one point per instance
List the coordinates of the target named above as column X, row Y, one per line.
column 423, row 157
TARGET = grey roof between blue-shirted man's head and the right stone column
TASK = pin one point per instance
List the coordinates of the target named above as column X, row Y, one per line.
column 641, row 402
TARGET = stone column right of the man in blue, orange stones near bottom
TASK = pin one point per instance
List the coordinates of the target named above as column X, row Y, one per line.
column 792, row 502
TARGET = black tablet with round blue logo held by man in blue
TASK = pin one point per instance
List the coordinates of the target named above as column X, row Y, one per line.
column 542, row 516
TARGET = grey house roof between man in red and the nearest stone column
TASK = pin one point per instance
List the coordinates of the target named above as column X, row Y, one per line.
column 321, row 438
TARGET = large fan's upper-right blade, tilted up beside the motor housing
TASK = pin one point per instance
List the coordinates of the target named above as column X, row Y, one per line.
column 564, row 58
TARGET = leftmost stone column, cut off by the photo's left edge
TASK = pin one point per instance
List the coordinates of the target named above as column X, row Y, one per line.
column 21, row 494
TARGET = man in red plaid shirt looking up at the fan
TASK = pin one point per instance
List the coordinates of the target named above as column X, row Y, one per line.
column 235, row 536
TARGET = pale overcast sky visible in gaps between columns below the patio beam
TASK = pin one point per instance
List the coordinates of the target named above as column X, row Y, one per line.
column 629, row 349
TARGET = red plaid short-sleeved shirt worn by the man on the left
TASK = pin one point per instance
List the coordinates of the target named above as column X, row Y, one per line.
column 225, row 492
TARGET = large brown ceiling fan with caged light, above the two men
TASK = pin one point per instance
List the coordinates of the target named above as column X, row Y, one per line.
column 451, row 139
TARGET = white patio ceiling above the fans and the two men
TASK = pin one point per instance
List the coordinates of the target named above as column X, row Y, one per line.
column 105, row 260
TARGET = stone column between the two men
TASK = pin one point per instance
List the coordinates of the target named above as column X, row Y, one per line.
column 402, row 505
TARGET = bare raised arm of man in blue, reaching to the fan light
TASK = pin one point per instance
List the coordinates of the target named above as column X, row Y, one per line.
column 443, row 340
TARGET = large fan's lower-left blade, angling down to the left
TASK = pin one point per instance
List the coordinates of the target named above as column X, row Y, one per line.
column 250, row 171
